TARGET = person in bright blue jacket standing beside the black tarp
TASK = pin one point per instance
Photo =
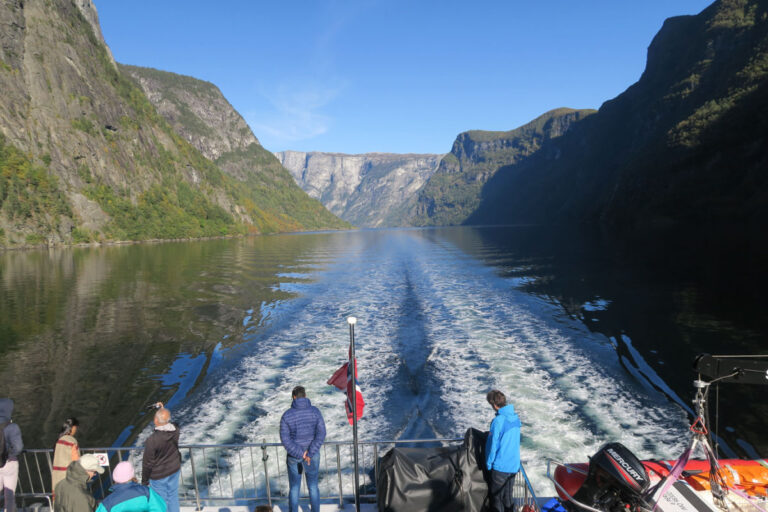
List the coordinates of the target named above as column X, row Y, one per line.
column 502, row 452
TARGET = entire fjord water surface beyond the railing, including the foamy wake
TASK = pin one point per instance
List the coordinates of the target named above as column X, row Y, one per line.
column 591, row 336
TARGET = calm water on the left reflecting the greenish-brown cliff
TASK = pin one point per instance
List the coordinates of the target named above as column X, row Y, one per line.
column 97, row 333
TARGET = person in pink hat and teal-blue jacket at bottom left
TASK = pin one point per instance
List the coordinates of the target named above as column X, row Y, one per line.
column 129, row 495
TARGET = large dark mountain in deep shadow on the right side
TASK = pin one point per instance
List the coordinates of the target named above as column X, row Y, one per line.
column 686, row 143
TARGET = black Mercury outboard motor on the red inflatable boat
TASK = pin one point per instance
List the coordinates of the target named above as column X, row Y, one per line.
column 615, row 482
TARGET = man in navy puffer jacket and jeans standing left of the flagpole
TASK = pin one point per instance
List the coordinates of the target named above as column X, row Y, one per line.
column 302, row 432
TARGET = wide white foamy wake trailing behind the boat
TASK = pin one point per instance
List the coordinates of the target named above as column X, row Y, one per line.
column 480, row 333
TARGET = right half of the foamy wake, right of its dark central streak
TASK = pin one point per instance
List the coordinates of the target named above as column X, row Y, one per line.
column 564, row 381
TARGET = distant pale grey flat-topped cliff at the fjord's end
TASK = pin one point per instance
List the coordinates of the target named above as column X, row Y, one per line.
column 369, row 190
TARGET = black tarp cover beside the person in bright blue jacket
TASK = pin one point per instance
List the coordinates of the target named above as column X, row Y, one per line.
column 445, row 479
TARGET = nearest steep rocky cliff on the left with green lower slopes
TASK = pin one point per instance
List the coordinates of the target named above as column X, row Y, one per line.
column 85, row 156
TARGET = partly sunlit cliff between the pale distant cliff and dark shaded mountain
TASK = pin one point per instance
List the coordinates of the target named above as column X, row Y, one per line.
column 453, row 192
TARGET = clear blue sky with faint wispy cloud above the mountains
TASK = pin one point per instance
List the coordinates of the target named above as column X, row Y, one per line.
column 390, row 75
